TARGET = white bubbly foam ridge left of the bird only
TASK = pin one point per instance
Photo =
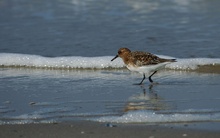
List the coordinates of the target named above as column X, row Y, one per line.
column 8, row 59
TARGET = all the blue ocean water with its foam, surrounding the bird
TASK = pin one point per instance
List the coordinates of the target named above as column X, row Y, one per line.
column 55, row 61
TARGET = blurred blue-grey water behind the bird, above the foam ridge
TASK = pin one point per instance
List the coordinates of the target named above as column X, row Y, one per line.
column 99, row 27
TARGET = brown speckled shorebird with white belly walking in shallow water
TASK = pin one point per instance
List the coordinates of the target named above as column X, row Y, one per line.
column 142, row 62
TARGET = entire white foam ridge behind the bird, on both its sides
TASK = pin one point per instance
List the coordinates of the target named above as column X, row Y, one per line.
column 25, row 60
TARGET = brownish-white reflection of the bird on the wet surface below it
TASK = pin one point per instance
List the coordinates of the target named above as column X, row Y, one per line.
column 146, row 100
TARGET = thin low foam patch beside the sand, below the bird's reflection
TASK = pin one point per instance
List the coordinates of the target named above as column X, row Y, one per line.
column 144, row 116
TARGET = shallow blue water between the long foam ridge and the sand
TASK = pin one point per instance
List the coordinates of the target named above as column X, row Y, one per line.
column 36, row 95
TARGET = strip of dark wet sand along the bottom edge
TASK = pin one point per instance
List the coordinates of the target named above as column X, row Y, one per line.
column 96, row 130
